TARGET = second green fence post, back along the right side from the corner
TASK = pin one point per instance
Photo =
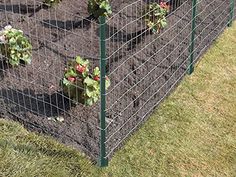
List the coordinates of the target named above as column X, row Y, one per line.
column 191, row 58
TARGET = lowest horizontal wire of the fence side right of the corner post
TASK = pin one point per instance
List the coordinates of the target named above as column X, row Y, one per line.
column 151, row 109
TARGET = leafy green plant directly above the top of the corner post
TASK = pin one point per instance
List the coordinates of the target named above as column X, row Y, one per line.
column 99, row 8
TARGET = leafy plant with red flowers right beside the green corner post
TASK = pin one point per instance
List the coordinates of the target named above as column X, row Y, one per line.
column 79, row 84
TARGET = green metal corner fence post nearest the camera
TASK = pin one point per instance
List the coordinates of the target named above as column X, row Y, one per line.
column 103, row 161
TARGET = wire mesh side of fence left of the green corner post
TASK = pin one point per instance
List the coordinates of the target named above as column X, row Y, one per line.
column 31, row 93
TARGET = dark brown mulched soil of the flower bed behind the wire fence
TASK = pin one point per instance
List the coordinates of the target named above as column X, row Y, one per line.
column 143, row 67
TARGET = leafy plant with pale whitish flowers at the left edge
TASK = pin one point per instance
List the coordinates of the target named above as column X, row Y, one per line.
column 15, row 46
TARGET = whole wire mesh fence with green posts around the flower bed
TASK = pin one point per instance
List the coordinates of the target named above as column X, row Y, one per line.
column 143, row 66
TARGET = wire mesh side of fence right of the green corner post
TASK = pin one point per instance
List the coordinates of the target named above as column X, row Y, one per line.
column 145, row 67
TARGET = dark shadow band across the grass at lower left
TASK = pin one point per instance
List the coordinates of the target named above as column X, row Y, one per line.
column 30, row 149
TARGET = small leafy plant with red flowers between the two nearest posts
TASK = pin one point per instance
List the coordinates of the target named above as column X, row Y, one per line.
column 155, row 16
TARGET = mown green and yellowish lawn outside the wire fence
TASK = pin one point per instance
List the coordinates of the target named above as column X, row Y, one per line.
column 193, row 133
